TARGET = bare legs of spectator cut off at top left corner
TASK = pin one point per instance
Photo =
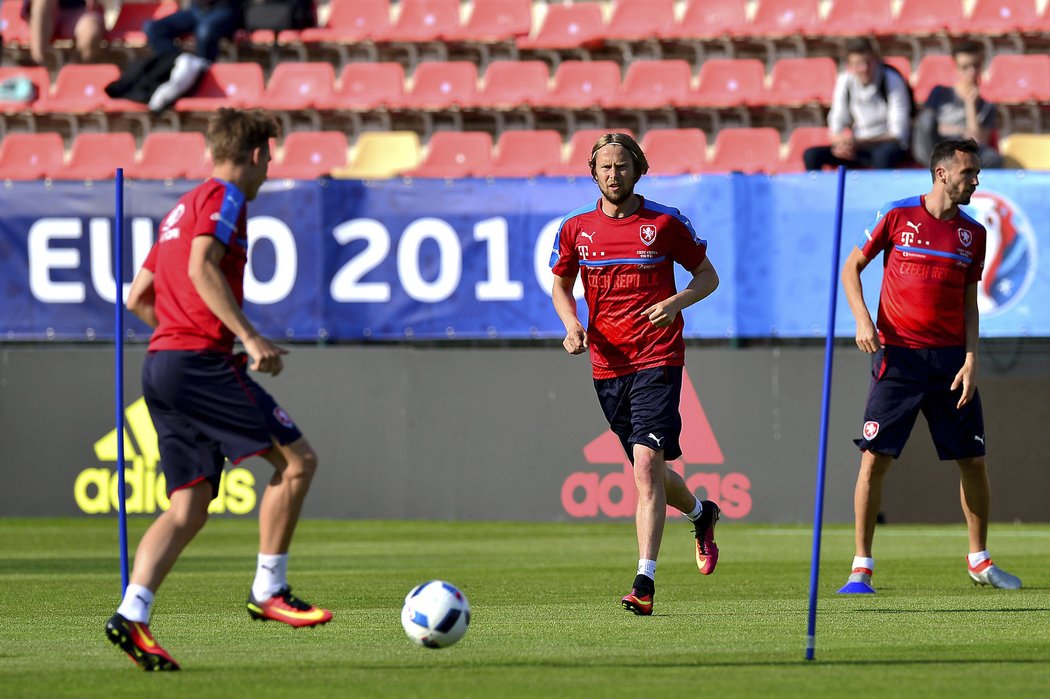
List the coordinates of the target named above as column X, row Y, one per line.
column 78, row 19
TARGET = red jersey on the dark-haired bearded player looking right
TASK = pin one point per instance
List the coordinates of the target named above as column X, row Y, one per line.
column 928, row 266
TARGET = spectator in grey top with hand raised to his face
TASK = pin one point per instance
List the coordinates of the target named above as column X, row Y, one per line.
column 958, row 112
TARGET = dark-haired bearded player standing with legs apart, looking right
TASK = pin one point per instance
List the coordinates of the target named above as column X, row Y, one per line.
column 926, row 349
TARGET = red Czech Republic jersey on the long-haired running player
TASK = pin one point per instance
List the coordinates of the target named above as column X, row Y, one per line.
column 628, row 266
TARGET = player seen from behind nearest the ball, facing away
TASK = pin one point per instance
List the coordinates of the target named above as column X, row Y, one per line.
column 205, row 407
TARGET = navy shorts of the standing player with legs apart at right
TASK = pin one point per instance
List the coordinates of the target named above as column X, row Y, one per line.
column 906, row 382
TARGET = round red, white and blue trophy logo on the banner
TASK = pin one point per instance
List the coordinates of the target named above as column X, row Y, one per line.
column 1011, row 260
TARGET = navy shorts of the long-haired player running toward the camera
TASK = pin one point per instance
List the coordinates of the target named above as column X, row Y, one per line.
column 643, row 409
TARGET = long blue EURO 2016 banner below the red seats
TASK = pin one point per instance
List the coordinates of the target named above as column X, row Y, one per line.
column 436, row 260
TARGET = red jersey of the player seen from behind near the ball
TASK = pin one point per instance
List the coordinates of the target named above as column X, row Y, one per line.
column 215, row 208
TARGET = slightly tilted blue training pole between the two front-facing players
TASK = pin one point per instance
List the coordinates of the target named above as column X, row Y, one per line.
column 818, row 515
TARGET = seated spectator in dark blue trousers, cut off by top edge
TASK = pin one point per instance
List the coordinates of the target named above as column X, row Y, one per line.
column 209, row 22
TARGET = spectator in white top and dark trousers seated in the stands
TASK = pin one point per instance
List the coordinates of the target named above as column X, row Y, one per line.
column 871, row 115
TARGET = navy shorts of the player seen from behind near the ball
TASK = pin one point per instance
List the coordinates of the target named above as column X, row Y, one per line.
column 206, row 410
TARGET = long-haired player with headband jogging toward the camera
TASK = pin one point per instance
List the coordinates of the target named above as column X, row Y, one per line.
column 626, row 247
